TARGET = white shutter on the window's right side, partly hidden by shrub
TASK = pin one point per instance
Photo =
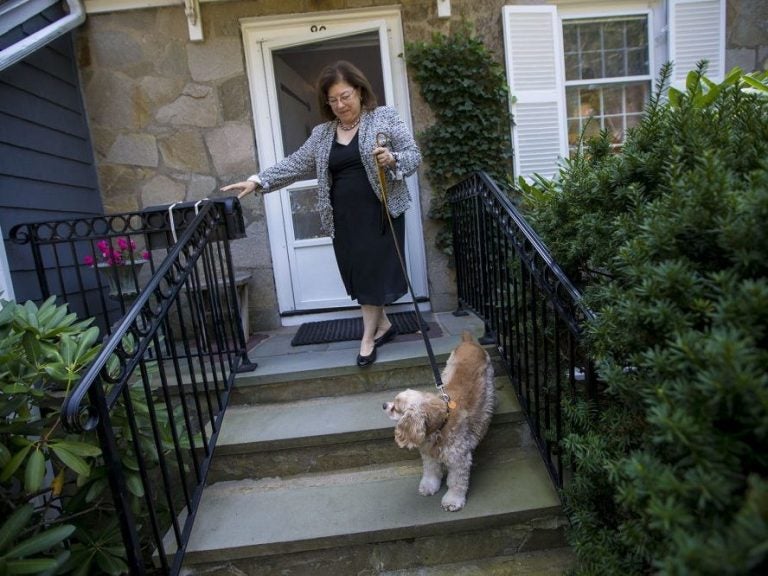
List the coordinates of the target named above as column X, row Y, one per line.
column 697, row 32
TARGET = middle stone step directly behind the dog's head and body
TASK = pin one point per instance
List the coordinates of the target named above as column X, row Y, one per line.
column 323, row 434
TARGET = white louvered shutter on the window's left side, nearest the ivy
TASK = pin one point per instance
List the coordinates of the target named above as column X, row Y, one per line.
column 534, row 59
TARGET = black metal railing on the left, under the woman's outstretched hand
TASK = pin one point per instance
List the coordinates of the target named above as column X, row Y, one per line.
column 157, row 392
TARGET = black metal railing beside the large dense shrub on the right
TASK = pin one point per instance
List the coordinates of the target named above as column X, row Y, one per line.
column 532, row 311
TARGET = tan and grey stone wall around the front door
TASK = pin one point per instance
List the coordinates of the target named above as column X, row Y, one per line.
column 171, row 119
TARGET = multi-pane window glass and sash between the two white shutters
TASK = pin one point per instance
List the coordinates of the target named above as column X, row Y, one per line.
column 607, row 75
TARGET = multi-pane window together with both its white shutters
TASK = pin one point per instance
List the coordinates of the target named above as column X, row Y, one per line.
column 572, row 60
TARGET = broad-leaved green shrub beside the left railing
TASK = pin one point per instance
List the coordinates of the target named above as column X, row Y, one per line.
column 56, row 509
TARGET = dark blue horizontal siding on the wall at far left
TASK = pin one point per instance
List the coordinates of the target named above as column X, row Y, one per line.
column 47, row 169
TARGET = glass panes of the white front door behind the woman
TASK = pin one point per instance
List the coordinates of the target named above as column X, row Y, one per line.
column 296, row 69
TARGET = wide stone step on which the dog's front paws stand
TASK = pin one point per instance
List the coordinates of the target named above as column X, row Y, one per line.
column 369, row 520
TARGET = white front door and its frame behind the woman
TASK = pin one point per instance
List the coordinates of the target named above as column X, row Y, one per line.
column 284, row 57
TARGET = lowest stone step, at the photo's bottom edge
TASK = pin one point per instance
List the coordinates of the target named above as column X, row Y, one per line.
column 541, row 563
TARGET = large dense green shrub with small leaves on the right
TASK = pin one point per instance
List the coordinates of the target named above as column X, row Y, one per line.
column 668, row 238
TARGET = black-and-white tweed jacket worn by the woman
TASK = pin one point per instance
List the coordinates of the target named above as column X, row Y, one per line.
column 312, row 160
